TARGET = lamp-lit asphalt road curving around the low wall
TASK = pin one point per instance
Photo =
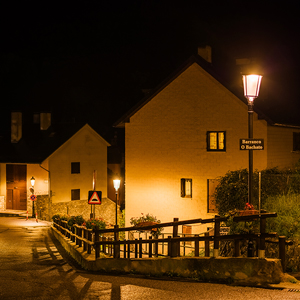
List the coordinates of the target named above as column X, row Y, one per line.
column 34, row 266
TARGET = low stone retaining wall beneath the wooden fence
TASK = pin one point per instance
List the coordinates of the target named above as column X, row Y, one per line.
column 239, row 270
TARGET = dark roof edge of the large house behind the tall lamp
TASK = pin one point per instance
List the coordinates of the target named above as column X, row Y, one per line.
column 210, row 70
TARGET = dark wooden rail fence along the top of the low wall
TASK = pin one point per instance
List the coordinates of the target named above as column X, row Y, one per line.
column 107, row 240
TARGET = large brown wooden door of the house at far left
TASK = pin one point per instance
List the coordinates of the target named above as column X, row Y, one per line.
column 16, row 187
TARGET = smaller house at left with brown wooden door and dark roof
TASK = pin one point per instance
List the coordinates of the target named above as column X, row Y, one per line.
column 62, row 160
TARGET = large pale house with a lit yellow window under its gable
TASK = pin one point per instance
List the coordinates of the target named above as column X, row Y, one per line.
column 184, row 135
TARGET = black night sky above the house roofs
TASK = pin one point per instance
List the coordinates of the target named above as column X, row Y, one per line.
column 91, row 60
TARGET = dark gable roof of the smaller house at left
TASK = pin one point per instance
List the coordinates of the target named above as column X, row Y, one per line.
column 35, row 147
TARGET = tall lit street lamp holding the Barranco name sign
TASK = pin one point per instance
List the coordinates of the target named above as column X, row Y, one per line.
column 251, row 90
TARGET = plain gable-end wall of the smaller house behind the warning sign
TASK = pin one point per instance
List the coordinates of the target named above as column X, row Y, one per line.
column 88, row 148
